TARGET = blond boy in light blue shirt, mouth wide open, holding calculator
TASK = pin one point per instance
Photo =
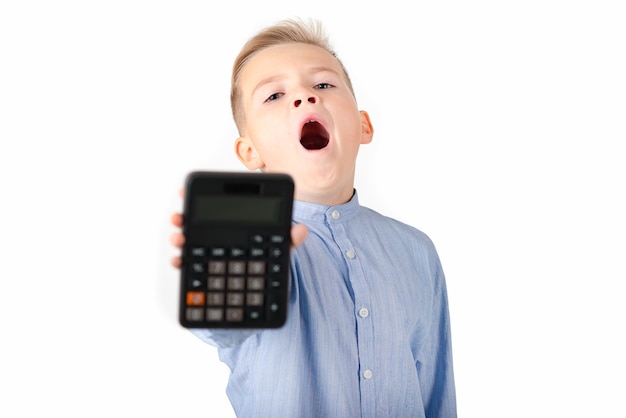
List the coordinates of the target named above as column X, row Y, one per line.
column 368, row 331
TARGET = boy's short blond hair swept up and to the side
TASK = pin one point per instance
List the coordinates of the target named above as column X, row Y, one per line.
column 284, row 32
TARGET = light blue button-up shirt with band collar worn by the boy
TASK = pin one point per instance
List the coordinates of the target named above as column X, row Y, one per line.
column 368, row 330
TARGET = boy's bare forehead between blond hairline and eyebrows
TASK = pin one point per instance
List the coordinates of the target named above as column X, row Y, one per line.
column 278, row 61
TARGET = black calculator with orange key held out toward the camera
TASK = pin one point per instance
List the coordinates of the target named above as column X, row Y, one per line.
column 235, row 270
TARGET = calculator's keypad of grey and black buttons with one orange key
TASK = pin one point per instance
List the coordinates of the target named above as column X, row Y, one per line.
column 237, row 286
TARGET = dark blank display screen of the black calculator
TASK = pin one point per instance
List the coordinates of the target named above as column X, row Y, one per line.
column 237, row 209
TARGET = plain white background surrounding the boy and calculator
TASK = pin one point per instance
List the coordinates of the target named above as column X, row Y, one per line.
column 500, row 130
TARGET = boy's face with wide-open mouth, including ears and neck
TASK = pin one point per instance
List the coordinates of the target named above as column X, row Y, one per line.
column 302, row 119
